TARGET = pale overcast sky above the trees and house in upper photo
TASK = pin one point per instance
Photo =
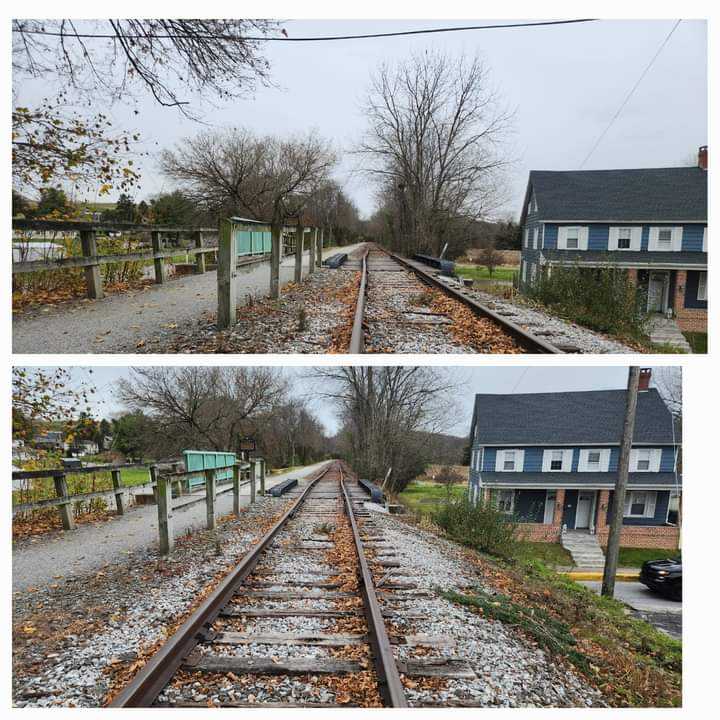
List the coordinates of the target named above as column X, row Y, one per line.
column 565, row 83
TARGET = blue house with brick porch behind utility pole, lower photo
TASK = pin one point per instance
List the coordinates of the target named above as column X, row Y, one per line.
column 550, row 461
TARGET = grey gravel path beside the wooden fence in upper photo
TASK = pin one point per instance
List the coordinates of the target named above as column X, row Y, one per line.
column 119, row 322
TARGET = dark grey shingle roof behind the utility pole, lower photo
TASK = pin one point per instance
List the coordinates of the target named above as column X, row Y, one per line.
column 594, row 416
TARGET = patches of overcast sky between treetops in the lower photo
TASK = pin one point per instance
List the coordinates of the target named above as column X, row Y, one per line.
column 467, row 380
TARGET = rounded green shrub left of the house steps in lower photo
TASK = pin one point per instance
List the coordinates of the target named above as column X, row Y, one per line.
column 478, row 525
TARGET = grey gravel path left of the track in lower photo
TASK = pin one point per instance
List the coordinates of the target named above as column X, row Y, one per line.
column 39, row 561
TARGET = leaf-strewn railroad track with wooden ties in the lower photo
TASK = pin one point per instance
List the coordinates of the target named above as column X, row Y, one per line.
column 297, row 623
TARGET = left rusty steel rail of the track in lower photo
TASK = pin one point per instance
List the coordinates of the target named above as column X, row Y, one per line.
column 157, row 672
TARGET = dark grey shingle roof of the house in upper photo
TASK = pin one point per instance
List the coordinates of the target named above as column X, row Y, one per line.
column 653, row 194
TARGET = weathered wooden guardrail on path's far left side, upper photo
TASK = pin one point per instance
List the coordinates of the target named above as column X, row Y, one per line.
column 91, row 261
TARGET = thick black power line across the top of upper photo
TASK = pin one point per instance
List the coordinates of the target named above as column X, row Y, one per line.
column 322, row 38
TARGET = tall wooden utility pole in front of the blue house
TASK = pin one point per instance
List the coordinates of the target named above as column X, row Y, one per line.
column 618, row 508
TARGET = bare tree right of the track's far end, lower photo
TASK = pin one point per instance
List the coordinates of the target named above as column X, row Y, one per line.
column 387, row 414
